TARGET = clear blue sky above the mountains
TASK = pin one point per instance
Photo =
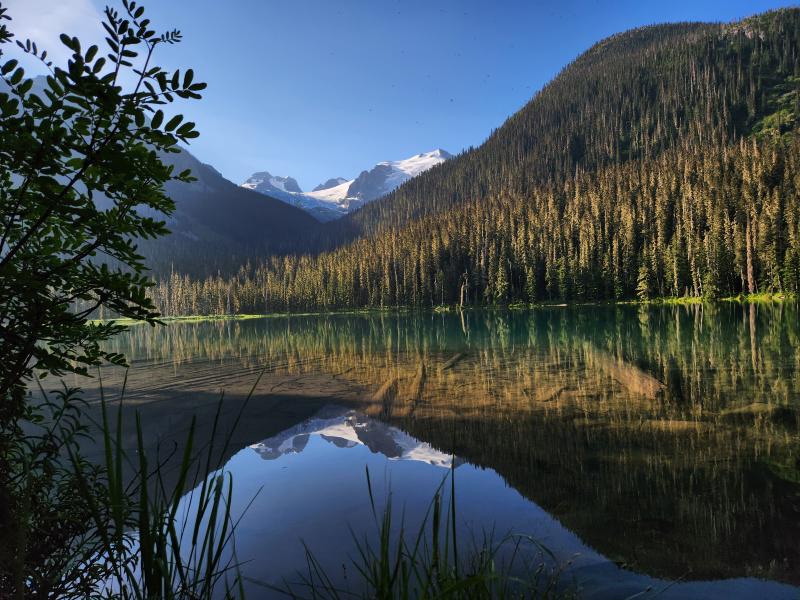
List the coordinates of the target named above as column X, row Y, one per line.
column 324, row 88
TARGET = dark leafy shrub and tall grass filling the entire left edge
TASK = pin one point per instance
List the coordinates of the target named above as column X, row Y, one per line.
column 81, row 156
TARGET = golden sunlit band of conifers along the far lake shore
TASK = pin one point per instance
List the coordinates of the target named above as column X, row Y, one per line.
column 713, row 223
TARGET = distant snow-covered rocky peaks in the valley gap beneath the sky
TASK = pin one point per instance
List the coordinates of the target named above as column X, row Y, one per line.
column 338, row 196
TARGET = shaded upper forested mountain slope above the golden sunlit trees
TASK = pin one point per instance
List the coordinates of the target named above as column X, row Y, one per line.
column 629, row 97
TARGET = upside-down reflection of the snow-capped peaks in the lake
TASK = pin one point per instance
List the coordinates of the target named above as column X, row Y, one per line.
column 347, row 428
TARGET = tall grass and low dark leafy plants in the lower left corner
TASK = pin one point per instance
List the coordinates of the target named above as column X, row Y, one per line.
column 120, row 529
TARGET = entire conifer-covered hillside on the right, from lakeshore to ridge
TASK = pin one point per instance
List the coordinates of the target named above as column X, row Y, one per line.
column 664, row 161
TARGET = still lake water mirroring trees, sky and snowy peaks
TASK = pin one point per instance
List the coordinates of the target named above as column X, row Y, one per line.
column 650, row 449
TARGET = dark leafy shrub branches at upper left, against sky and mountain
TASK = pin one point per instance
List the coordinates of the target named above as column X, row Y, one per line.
column 80, row 168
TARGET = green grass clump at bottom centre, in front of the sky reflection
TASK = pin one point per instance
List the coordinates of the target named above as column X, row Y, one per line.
column 430, row 562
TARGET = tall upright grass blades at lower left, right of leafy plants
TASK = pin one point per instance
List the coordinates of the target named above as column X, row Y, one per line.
column 151, row 553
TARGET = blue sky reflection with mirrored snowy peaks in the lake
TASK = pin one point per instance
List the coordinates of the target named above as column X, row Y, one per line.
column 313, row 489
